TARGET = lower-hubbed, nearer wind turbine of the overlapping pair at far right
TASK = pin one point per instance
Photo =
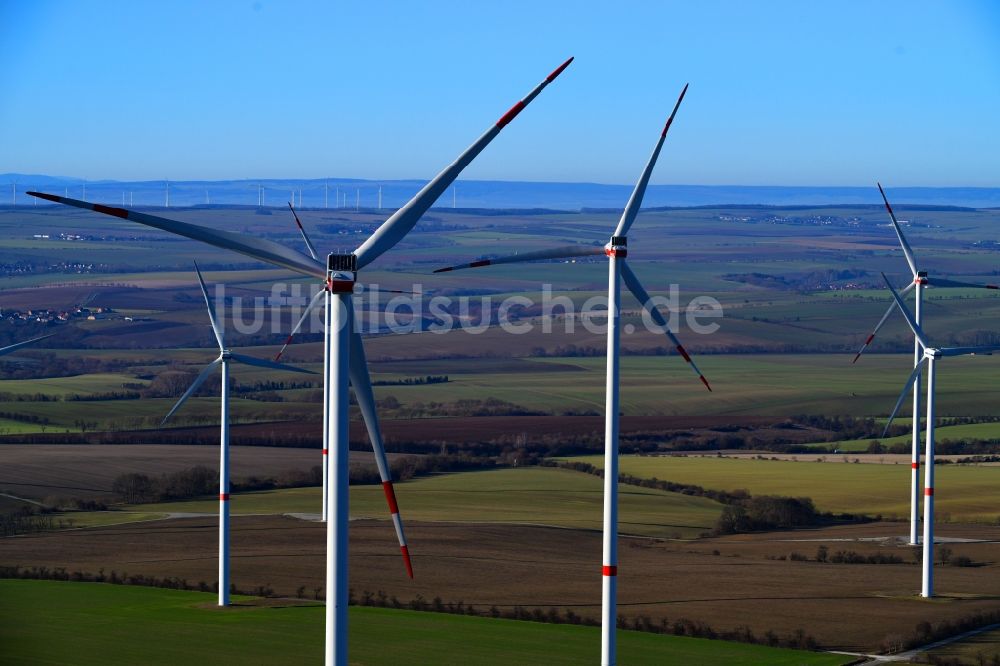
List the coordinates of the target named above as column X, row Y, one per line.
column 931, row 355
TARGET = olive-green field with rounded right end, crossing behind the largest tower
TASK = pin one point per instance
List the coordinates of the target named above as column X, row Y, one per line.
column 542, row 496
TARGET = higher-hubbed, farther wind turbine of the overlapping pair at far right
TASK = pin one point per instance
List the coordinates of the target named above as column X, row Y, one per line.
column 921, row 281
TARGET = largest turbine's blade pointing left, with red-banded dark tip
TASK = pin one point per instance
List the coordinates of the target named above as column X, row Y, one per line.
column 257, row 248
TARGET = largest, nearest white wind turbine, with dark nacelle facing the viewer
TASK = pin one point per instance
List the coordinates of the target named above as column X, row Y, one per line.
column 342, row 345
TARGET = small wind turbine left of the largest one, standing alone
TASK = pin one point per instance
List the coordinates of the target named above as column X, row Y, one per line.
column 225, row 356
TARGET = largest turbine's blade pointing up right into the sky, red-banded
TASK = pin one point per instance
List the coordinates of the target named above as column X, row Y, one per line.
column 399, row 224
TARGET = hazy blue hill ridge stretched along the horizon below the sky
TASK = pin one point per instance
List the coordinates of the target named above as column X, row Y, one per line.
column 476, row 194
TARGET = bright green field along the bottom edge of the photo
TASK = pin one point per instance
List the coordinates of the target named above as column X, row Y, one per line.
column 57, row 623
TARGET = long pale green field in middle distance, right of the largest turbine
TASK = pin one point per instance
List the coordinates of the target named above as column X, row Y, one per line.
column 760, row 385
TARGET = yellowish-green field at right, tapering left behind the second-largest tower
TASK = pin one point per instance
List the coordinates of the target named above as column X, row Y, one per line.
column 963, row 493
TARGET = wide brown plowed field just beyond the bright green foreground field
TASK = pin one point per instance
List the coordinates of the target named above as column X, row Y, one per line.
column 844, row 606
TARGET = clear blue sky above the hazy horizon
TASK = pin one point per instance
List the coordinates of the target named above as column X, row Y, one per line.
column 782, row 93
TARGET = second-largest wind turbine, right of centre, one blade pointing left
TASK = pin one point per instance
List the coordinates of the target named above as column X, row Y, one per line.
column 616, row 250
